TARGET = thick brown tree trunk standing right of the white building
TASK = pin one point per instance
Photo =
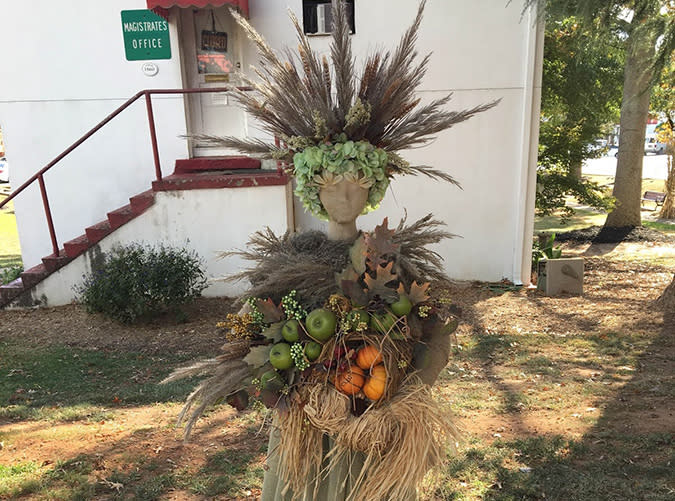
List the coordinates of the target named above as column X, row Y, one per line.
column 634, row 112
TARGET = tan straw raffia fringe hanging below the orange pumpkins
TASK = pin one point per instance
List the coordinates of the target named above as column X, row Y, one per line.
column 401, row 440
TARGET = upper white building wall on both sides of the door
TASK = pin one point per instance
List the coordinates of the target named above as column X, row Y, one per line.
column 72, row 71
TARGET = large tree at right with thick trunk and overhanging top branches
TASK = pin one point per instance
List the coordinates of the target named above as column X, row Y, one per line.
column 647, row 28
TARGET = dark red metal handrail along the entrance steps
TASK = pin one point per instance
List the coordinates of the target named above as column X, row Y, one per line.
column 38, row 176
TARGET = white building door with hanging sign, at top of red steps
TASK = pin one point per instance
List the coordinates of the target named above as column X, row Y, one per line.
column 212, row 55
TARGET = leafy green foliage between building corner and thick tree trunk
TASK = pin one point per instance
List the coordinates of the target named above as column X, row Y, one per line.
column 581, row 99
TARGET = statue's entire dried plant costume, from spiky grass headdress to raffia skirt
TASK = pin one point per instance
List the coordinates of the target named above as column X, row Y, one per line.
column 340, row 336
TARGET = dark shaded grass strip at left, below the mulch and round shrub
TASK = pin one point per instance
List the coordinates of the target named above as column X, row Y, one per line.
column 61, row 383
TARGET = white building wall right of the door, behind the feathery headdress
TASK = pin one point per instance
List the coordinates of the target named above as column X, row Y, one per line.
column 482, row 50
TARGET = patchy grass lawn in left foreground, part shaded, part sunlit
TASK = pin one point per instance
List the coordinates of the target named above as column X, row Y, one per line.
column 72, row 395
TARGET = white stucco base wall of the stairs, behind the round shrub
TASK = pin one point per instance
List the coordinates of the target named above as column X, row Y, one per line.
column 179, row 219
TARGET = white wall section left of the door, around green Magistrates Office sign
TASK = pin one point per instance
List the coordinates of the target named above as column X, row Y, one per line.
column 64, row 70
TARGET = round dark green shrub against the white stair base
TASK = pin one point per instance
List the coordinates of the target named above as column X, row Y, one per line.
column 138, row 282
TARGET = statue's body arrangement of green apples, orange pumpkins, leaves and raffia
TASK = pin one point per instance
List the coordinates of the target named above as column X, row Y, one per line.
column 357, row 366
